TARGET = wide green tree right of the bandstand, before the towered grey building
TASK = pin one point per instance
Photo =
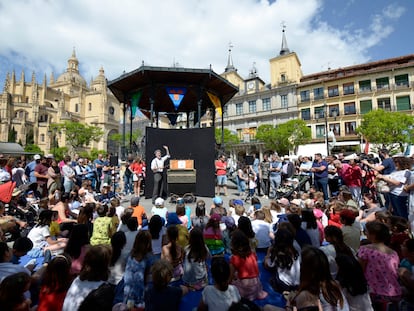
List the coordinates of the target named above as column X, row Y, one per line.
column 285, row 137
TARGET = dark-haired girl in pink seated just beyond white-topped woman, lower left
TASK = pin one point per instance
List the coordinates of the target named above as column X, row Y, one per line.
column 77, row 246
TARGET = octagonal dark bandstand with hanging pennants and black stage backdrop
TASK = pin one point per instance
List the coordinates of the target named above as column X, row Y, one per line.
column 175, row 92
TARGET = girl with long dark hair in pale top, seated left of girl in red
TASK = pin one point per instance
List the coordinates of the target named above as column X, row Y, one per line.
column 195, row 256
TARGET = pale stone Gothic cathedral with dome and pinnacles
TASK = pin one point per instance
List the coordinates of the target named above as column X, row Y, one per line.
column 29, row 108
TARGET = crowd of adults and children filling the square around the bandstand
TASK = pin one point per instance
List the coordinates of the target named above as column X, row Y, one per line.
column 341, row 241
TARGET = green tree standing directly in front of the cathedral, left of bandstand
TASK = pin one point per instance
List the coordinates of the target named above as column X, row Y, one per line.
column 78, row 135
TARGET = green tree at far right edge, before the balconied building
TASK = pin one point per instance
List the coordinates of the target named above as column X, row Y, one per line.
column 387, row 128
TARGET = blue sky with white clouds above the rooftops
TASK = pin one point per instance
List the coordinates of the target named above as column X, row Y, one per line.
column 39, row 35
